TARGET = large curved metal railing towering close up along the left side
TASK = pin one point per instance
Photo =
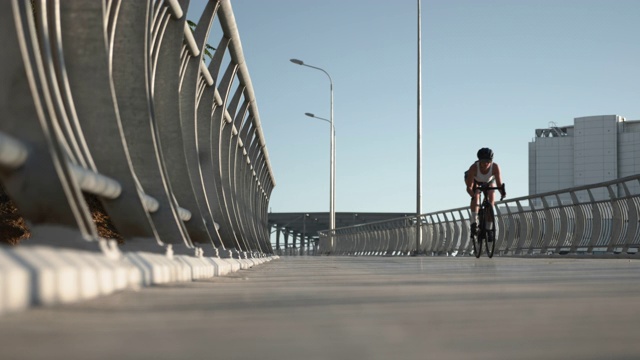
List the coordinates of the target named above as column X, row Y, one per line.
column 114, row 99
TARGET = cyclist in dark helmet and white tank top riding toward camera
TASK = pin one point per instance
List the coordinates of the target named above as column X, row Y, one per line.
column 483, row 171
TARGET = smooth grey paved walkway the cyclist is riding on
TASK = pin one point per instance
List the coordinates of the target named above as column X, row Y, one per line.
column 354, row 308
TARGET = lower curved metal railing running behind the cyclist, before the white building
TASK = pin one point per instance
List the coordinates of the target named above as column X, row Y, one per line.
column 601, row 218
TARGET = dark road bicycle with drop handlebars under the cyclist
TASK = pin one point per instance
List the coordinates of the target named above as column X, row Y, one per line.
column 485, row 217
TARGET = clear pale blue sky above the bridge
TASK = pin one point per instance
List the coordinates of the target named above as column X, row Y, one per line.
column 493, row 71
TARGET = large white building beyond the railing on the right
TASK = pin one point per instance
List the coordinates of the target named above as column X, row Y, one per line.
column 594, row 149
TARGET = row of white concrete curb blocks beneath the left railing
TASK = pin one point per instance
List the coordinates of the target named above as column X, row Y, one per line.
column 46, row 275
